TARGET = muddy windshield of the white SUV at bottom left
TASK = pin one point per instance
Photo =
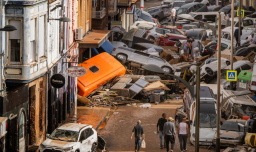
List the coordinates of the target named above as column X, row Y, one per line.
column 64, row 135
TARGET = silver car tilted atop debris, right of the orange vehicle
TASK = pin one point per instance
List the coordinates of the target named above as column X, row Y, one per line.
column 124, row 54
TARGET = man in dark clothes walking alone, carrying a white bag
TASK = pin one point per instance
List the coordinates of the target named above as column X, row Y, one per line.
column 139, row 135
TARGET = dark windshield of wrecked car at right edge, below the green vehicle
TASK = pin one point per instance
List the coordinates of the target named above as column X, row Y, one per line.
column 244, row 110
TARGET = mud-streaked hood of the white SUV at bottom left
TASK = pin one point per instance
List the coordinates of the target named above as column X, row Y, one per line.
column 58, row 143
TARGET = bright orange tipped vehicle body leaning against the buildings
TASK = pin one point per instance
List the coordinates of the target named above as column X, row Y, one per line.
column 101, row 69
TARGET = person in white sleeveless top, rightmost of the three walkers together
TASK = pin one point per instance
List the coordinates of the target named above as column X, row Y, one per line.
column 183, row 134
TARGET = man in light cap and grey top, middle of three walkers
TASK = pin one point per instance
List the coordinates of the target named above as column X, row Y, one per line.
column 169, row 133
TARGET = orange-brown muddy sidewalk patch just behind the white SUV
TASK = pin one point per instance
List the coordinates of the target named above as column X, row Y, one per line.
column 92, row 116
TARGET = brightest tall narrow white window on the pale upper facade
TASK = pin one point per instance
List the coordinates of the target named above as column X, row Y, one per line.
column 42, row 25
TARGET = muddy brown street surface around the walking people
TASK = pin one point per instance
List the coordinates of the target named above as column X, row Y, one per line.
column 118, row 129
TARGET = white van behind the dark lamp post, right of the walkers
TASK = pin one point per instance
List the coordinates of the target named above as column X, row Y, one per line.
column 208, row 114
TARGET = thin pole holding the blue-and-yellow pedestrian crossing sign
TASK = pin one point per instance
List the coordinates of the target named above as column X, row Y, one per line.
column 232, row 39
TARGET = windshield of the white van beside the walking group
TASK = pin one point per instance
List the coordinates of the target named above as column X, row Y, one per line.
column 207, row 120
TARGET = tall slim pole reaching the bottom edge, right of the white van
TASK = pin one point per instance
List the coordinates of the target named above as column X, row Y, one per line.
column 218, row 86
